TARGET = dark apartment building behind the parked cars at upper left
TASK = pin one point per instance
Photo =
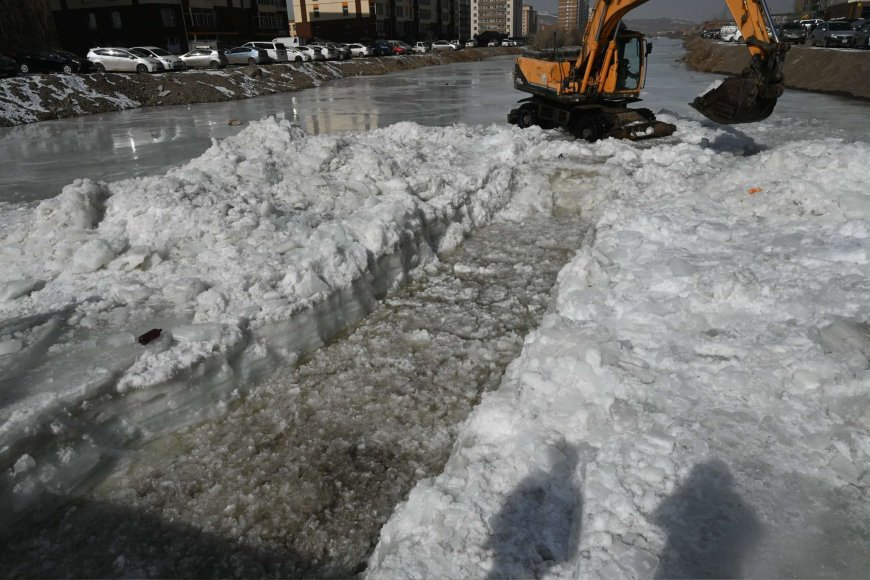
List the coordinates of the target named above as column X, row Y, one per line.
column 171, row 24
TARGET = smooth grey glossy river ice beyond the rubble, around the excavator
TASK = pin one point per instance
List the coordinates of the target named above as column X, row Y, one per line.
column 41, row 158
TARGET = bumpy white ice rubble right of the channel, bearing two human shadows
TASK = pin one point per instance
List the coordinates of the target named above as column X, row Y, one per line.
column 696, row 403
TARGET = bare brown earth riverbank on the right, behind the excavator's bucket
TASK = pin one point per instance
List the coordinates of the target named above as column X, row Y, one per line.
column 825, row 70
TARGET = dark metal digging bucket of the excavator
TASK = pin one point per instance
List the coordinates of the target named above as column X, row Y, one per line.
column 736, row 100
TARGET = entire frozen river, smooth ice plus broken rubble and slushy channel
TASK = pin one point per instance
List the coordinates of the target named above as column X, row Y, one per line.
column 336, row 305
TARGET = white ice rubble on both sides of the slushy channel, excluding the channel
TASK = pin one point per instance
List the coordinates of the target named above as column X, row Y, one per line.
column 695, row 404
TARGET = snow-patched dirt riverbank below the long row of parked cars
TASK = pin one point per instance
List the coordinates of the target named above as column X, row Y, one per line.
column 33, row 98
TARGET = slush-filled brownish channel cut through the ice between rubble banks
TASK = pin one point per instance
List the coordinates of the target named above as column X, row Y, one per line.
column 298, row 479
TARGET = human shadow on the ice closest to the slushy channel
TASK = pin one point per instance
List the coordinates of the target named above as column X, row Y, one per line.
column 536, row 527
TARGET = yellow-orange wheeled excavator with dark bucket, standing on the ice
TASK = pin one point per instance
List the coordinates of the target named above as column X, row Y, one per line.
column 589, row 96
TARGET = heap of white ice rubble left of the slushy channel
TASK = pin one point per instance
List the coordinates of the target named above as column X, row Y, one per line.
column 264, row 247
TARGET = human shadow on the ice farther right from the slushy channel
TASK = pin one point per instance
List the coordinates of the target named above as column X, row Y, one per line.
column 710, row 528
